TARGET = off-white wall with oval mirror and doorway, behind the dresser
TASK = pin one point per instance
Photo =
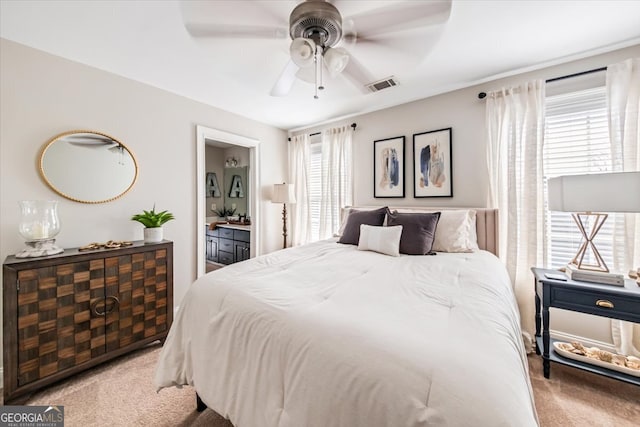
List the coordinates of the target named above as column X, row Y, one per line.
column 43, row 95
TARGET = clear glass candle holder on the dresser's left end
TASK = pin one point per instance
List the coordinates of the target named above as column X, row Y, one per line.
column 39, row 225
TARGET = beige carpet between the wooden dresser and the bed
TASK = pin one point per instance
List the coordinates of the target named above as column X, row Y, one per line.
column 121, row 393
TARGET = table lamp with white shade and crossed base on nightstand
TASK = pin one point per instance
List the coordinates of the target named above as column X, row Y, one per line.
column 589, row 197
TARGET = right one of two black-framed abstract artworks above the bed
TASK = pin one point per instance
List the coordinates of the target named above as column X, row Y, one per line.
column 433, row 164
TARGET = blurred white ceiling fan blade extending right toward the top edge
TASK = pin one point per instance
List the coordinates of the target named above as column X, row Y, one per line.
column 400, row 16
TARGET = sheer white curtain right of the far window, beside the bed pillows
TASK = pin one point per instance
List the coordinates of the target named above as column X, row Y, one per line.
column 337, row 181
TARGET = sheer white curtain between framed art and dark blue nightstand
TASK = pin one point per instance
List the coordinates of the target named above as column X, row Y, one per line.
column 515, row 129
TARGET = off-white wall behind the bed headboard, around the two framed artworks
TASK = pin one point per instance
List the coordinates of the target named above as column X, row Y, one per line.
column 465, row 113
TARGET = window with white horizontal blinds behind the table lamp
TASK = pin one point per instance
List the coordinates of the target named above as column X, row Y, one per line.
column 577, row 142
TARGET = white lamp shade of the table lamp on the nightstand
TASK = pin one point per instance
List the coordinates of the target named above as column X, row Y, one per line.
column 605, row 192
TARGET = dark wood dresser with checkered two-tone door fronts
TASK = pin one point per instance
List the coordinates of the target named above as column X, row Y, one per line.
column 68, row 312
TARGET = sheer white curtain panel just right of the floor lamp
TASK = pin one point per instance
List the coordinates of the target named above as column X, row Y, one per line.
column 299, row 173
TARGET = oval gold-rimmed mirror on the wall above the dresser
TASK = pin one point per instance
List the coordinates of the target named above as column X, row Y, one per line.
column 88, row 166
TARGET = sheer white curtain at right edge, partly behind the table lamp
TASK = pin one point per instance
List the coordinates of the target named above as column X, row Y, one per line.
column 623, row 102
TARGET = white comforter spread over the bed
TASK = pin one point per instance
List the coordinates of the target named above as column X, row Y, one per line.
column 326, row 335
